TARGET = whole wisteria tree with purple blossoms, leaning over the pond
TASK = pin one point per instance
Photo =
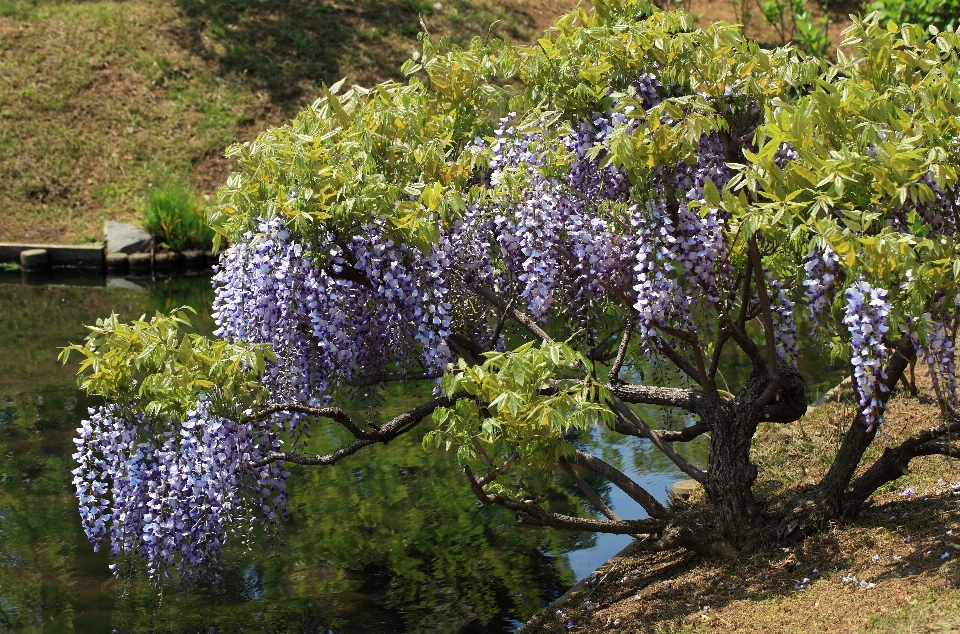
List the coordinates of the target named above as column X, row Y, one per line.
column 527, row 226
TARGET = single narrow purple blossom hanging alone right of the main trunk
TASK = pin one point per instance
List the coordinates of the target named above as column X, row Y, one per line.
column 866, row 318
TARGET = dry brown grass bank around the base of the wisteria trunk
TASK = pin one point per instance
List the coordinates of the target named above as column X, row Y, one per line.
column 895, row 549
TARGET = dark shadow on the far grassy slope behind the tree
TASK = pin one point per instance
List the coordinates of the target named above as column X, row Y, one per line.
column 288, row 46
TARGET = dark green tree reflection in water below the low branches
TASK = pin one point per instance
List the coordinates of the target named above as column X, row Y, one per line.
column 451, row 561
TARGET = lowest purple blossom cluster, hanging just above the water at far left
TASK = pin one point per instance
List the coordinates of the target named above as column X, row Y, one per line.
column 176, row 496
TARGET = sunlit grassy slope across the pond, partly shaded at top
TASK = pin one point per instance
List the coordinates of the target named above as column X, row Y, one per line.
column 100, row 101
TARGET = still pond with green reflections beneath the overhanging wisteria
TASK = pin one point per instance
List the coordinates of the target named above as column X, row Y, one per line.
column 390, row 540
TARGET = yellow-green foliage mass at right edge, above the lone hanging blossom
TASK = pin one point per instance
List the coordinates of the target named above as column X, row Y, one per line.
column 868, row 134
